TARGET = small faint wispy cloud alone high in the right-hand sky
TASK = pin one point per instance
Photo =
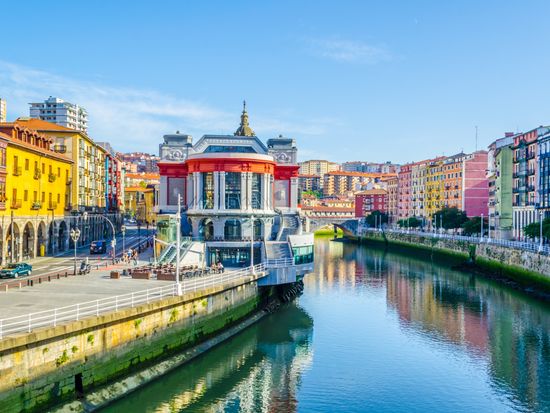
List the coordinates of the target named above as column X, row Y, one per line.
column 349, row 51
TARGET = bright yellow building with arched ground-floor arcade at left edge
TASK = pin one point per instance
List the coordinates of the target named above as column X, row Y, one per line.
column 34, row 194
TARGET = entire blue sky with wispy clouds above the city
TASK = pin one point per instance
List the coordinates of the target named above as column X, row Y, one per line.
column 376, row 81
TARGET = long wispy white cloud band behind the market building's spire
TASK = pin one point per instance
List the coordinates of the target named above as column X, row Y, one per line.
column 134, row 119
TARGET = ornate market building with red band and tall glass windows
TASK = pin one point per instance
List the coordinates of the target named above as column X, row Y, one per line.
column 236, row 192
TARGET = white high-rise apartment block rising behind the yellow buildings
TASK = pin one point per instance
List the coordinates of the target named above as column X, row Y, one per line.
column 62, row 113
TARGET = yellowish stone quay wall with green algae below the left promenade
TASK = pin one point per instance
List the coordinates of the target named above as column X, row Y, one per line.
column 51, row 365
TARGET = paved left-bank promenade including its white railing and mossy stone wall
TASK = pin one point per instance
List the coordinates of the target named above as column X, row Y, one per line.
column 61, row 338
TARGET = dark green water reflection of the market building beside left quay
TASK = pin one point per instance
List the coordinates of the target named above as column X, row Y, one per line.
column 257, row 371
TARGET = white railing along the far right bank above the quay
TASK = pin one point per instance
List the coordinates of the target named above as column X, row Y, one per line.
column 521, row 245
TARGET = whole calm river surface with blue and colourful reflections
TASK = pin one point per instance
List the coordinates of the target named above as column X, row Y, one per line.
column 374, row 332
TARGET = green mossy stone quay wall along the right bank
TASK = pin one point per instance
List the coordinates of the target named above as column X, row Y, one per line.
column 522, row 266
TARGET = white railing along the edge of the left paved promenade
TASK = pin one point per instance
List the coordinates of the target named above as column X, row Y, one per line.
column 51, row 318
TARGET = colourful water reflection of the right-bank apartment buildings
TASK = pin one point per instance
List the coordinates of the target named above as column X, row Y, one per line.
column 506, row 331
